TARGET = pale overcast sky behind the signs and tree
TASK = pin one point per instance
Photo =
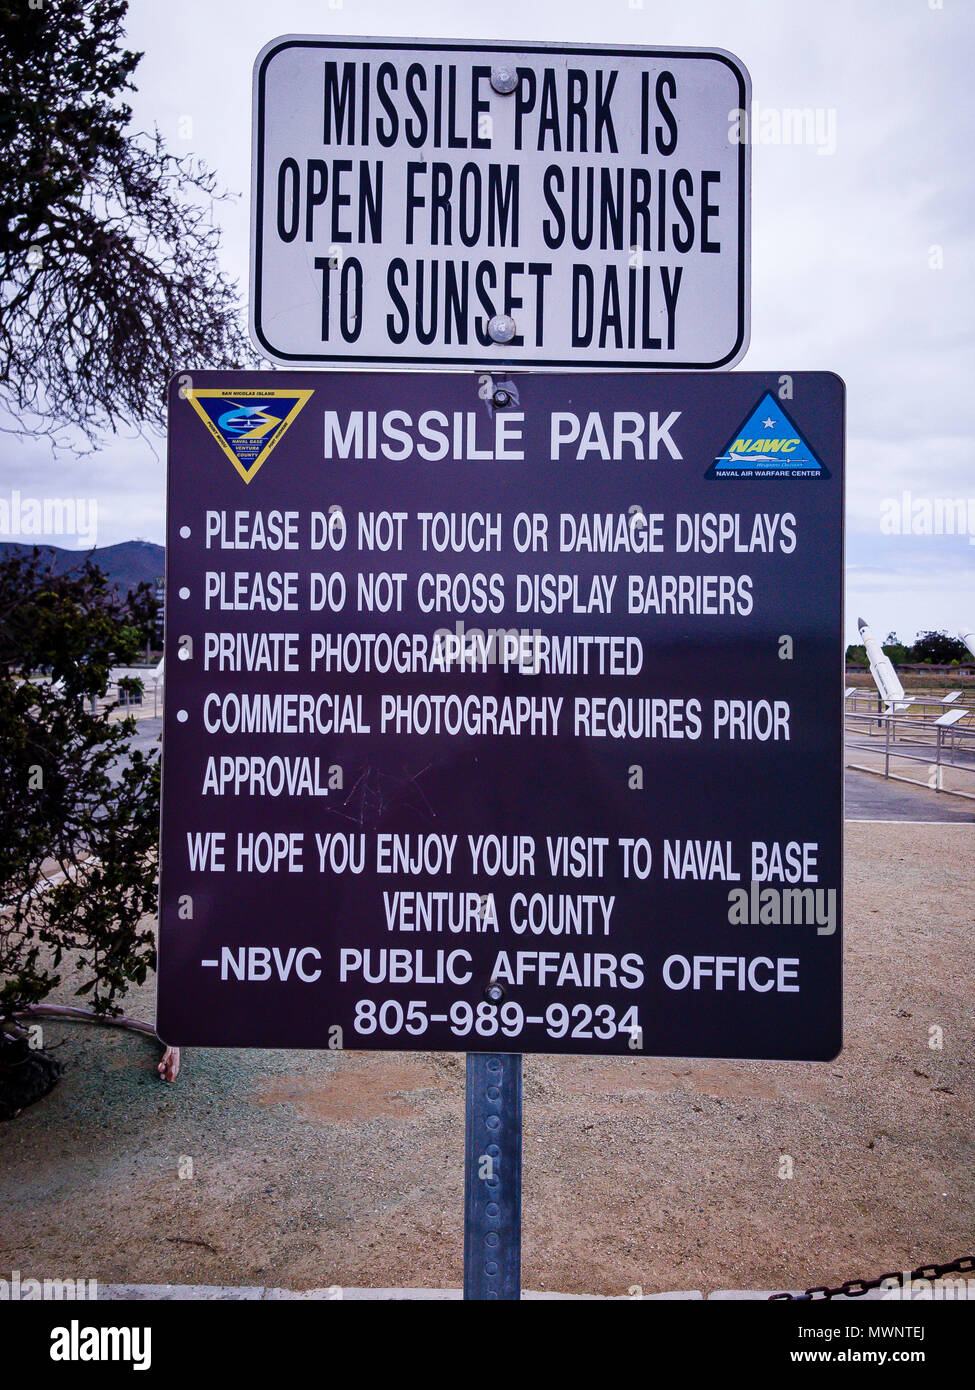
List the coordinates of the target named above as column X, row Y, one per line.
column 848, row 234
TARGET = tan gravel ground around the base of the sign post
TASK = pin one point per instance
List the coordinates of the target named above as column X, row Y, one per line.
column 314, row 1170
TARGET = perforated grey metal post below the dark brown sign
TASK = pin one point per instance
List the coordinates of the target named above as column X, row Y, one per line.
column 493, row 1178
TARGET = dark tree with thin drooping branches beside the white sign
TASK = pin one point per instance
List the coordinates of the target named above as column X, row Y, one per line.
column 109, row 262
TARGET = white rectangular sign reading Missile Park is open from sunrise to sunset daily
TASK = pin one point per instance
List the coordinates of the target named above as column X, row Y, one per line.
column 453, row 205
